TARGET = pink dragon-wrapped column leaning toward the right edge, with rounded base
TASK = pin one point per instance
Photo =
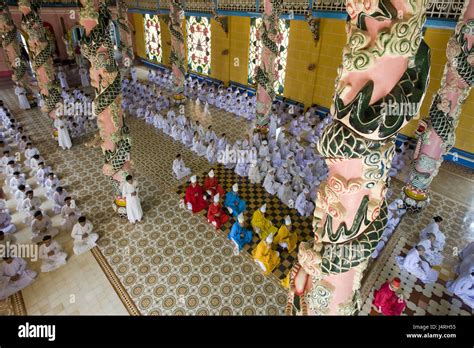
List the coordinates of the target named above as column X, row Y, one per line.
column 439, row 134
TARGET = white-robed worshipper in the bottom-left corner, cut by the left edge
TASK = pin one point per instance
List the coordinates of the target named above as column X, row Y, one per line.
column 14, row 276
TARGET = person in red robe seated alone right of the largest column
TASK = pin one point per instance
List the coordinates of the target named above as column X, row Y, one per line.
column 386, row 299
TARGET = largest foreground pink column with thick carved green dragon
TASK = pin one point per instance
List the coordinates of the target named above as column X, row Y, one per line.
column 385, row 61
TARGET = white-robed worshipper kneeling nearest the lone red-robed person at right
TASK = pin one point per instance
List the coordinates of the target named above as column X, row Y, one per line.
column 415, row 264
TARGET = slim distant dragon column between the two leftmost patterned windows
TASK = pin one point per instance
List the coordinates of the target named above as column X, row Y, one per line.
column 177, row 49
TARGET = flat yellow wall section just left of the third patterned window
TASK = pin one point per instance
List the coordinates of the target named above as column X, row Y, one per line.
column 239, row 31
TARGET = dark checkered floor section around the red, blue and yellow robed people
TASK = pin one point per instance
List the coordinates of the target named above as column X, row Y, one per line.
column 255, row 196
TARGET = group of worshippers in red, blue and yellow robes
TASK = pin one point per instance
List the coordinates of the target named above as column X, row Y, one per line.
column 210, row 195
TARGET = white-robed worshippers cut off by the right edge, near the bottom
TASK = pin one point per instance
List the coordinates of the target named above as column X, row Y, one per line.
column 463, row 285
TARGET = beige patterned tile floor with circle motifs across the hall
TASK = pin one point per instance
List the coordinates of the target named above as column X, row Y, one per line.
column 175, row 263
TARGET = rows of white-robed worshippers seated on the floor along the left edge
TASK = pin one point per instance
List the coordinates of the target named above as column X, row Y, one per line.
column 14, row 273
